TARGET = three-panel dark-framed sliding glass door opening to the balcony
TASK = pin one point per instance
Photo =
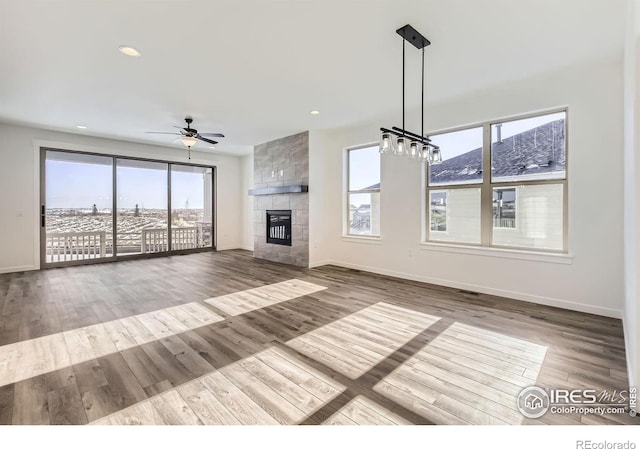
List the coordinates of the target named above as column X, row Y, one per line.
column 159, row 207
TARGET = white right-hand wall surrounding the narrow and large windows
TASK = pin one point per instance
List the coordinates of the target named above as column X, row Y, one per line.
column 592, row 282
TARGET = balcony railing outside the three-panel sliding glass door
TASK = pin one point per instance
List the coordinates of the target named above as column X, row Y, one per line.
column 68, row 246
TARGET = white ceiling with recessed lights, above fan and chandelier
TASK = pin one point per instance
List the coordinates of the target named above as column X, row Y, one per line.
column 253, row 69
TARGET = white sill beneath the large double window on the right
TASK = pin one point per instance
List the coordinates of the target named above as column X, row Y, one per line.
column 534, row 256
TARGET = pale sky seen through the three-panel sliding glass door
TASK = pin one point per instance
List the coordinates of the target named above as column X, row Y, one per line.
column 81, row 185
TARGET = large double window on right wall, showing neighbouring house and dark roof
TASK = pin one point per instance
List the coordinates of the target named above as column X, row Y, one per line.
column 520, row 202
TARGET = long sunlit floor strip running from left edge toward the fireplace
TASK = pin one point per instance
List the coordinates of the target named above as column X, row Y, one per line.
column 30, row 358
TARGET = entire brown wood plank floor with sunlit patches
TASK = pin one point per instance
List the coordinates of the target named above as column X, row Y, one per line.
column 222, row 338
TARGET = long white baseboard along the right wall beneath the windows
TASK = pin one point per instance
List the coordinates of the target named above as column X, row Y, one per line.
column 569, row 305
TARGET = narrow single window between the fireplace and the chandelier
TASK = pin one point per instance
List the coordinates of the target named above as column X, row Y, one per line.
column 363, row 191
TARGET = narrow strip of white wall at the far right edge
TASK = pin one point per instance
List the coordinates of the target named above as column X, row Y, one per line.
column 632, row 190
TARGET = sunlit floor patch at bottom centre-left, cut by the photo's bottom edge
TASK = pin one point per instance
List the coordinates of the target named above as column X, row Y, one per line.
column 270, row 387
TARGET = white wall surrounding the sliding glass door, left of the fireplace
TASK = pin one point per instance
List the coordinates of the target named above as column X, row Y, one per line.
column 19, row 187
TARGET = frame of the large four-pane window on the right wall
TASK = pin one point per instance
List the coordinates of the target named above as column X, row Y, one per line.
column 487, row 185
